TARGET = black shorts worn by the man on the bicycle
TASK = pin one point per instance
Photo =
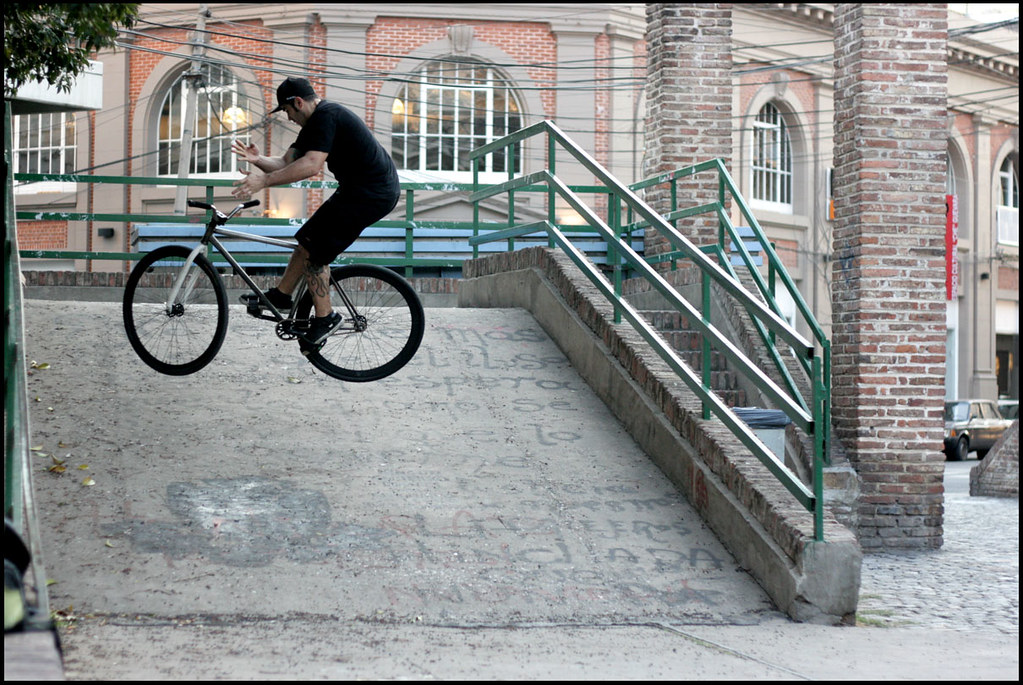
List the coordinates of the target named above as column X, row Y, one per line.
column 339, row 221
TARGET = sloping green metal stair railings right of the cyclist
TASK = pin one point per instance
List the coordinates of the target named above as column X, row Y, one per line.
column 812, row 416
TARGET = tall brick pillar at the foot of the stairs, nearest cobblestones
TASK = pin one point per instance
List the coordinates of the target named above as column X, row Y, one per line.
column 888, row 288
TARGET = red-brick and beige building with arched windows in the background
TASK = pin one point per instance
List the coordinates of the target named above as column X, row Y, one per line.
column 435, row 80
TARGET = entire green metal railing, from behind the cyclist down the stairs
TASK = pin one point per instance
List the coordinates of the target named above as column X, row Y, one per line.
column 626, row 214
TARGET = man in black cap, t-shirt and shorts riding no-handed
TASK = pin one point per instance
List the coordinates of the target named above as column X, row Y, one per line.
column 368, row 191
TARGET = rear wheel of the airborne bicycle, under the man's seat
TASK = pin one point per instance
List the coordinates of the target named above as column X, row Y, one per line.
column 383, row 335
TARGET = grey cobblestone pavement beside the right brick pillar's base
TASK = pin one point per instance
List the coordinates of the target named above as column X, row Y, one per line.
column 972, row 583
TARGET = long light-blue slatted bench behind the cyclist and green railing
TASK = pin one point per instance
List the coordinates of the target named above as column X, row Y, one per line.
column 379, row 243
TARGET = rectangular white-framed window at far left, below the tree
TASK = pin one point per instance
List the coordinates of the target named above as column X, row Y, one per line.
column 31, row 147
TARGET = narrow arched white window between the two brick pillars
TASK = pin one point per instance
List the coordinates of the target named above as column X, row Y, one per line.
column 772, row 161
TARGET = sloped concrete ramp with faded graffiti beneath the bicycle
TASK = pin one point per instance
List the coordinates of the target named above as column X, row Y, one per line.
column 484, row 485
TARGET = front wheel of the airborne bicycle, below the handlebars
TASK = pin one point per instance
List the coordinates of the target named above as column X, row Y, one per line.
column 182, row 337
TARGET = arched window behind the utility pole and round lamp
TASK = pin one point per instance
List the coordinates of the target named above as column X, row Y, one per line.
column 221, row 116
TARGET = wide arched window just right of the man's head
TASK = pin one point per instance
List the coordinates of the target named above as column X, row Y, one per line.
column 450, row 109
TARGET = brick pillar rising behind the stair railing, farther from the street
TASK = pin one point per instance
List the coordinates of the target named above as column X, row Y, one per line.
column 689, row 107
